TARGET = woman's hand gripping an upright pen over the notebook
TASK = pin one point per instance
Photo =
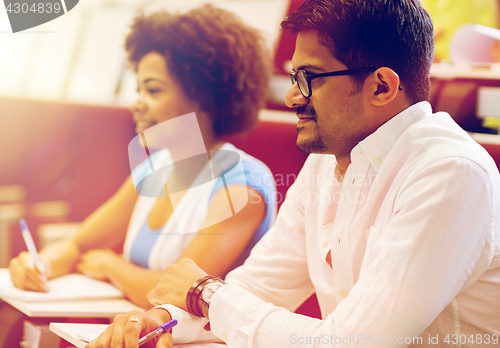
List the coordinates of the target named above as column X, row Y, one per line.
column 26, row 277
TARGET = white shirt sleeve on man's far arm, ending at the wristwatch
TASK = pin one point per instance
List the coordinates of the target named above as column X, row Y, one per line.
column 276, row 270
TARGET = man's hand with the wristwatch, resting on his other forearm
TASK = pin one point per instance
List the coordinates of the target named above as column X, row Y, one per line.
column 175, row 283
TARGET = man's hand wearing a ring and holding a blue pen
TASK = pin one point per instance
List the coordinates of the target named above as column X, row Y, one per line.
column 128, row 328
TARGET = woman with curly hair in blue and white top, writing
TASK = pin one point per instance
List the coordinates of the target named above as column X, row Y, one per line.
column 205, row 62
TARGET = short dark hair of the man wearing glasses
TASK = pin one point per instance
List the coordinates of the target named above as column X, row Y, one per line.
column 397, row 34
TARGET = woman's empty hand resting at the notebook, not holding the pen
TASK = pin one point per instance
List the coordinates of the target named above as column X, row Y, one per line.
column 95, row 263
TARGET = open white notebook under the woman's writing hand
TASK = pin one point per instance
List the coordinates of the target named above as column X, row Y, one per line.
column 71, row 287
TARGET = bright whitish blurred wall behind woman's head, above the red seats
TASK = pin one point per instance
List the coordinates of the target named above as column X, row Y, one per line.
column 80, row 57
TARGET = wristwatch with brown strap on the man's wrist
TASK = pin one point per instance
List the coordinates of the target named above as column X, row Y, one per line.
column 199, row 296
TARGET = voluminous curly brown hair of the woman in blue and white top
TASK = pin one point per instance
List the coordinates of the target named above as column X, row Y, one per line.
column 218, row 60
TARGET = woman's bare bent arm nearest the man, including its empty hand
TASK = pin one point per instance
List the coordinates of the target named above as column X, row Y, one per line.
column 215, row 248
